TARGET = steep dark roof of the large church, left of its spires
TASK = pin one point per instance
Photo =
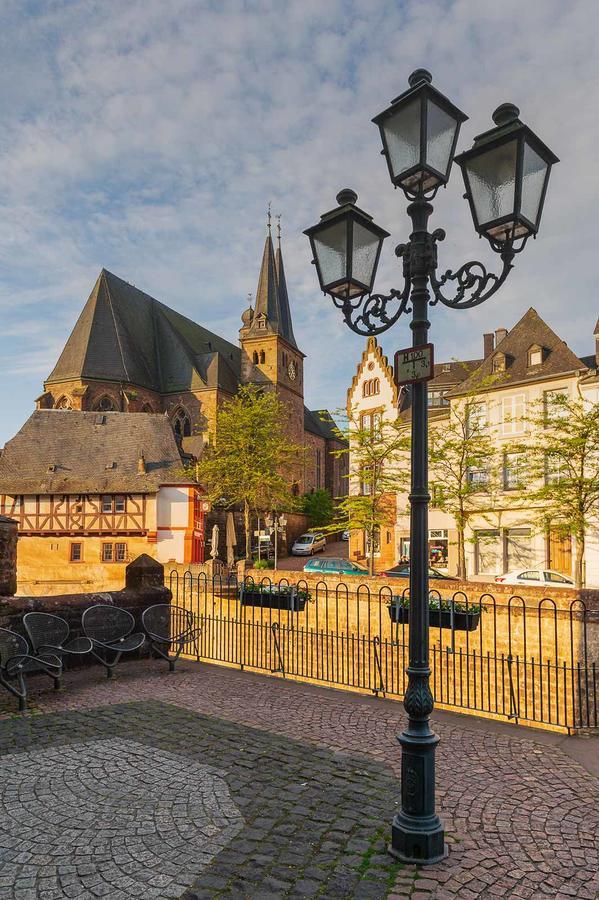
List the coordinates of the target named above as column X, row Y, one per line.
column 125, row 335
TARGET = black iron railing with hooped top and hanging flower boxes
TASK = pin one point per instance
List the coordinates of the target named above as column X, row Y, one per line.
column 523, row 660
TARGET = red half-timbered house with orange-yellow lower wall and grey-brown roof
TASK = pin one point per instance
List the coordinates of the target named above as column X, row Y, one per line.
column 91, row 491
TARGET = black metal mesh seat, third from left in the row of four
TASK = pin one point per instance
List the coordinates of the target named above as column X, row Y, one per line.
column 110, row 631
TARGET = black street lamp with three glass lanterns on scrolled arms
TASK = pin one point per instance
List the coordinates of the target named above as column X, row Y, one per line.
column 505, row 174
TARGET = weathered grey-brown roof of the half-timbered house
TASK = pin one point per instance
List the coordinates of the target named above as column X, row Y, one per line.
column 63, row 451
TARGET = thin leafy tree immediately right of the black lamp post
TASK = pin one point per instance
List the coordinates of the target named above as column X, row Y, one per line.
column 463, row 465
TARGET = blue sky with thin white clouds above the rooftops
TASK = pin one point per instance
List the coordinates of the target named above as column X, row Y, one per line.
column 149, row 137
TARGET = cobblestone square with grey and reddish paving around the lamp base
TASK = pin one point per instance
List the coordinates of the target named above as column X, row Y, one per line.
column 217, row 783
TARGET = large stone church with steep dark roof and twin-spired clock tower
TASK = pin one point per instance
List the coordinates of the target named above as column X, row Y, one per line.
column 130, row 353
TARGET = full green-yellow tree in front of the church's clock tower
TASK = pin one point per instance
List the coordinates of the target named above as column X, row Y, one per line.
column 252, row 463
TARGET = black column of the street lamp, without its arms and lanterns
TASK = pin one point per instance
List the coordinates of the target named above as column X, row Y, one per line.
column 417, row 832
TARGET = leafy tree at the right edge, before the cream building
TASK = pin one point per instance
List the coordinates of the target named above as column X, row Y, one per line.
column 561, row 465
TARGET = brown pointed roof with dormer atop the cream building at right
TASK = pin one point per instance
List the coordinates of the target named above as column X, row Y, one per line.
column 531, row 330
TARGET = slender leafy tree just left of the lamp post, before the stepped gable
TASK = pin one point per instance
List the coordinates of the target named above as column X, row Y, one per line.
column 379, row 468
